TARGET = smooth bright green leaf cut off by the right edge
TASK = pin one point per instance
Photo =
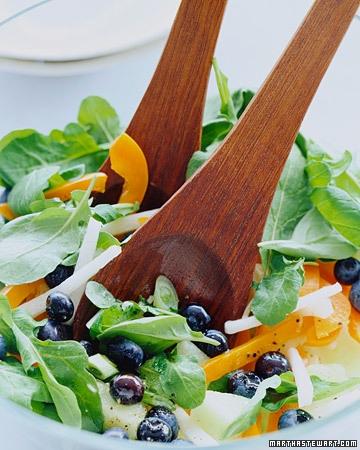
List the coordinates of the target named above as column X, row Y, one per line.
column 341, row 210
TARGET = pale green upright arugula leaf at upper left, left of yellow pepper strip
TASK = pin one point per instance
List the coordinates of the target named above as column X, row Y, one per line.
column 29, row 189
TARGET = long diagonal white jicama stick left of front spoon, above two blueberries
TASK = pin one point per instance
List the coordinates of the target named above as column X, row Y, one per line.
column 36, row 306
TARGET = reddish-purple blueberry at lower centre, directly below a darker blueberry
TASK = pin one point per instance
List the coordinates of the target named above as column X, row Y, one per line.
column 127, row 389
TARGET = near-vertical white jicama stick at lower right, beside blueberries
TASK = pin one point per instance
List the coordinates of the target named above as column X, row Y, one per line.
column 304, row 386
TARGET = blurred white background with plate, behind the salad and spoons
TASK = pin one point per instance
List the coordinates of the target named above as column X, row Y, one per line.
column 254, row 33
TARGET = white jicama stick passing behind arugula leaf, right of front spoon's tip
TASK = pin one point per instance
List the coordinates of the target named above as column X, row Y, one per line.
column 316, row 304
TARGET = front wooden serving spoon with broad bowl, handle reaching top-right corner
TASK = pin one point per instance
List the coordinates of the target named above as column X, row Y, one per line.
column 204, row 239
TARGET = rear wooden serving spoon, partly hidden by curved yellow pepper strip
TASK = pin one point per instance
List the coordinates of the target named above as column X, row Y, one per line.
column 167, row 123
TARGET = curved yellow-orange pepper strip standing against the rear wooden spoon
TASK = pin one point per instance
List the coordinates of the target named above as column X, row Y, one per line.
column 128, row 161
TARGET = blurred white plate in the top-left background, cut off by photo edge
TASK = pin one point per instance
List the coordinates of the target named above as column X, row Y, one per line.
column 73, row 30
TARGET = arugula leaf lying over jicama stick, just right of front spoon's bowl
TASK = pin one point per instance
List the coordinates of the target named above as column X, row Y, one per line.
column 277, row 294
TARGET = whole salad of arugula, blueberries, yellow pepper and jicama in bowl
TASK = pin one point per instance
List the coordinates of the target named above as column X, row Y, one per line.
column 153, row 369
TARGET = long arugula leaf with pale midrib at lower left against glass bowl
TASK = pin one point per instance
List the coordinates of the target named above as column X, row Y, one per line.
column 63, row 369
